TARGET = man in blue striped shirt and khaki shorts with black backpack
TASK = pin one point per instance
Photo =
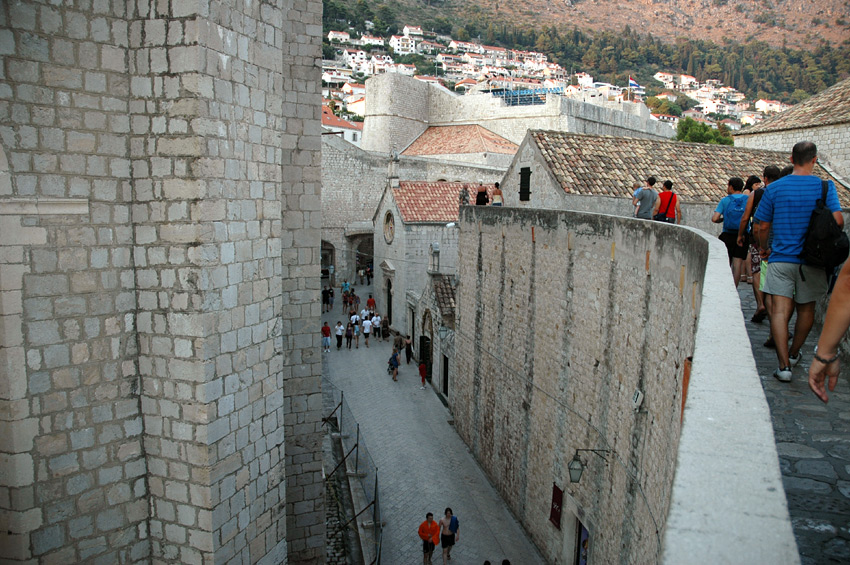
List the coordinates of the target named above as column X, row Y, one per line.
column 786, row 209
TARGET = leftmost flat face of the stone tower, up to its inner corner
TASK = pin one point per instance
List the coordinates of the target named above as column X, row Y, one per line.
column 72, row 461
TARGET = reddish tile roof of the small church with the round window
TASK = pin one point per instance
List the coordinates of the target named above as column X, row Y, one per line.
column 432, row 202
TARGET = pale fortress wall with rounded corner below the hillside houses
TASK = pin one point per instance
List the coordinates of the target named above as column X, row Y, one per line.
column 400, row 108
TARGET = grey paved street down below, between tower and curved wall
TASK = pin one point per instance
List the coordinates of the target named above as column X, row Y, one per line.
column 423, row 465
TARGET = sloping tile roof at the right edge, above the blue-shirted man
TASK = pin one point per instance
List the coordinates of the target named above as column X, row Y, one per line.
column 832, row 106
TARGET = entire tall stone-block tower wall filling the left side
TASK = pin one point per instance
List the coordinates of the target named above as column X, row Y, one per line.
column 160, row 282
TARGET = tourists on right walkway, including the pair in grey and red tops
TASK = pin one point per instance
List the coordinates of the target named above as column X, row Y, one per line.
column 783, row 233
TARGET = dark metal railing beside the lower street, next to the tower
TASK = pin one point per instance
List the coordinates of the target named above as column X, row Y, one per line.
column 360, row 468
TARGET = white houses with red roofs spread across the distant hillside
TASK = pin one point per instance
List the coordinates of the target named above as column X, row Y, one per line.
column 473, row 68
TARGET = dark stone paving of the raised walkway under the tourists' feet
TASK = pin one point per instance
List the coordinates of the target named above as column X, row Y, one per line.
column 813, row 440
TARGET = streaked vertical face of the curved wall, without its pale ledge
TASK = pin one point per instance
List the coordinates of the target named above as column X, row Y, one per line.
column 561, row 318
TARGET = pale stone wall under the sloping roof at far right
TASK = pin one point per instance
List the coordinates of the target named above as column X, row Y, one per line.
column 833, row 143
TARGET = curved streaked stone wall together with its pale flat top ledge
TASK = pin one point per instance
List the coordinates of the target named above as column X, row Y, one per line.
column 594, row 310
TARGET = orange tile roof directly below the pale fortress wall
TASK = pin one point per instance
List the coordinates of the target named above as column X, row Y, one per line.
column 451, row 140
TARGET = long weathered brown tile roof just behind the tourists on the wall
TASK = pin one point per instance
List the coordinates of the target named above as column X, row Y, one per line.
column 606, row 165
